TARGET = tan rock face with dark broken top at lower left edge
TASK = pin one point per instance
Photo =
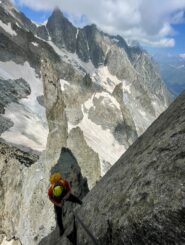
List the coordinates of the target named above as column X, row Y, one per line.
column 12, row 165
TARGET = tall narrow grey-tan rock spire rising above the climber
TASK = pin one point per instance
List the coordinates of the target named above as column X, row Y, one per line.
column 55, row 110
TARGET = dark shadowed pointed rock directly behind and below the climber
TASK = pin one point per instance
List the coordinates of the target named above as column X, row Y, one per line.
column 68, row 166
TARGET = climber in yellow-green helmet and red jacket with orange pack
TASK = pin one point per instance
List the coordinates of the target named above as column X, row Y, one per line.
column 59, row 192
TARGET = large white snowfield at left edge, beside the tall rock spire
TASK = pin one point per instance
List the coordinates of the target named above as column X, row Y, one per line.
column 30, row 124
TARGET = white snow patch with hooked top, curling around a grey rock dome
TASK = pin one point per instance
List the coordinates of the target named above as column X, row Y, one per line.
column 100, row 140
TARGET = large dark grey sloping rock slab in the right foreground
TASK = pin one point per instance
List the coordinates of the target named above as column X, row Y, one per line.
column 141, row 200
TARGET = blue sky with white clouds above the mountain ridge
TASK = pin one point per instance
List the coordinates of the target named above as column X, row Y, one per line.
column 159, row 25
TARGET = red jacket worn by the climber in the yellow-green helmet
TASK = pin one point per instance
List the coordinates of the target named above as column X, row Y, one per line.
column 65, row 184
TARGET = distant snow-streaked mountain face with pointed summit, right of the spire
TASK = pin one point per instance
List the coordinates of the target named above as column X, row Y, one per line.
column 120, row 95
